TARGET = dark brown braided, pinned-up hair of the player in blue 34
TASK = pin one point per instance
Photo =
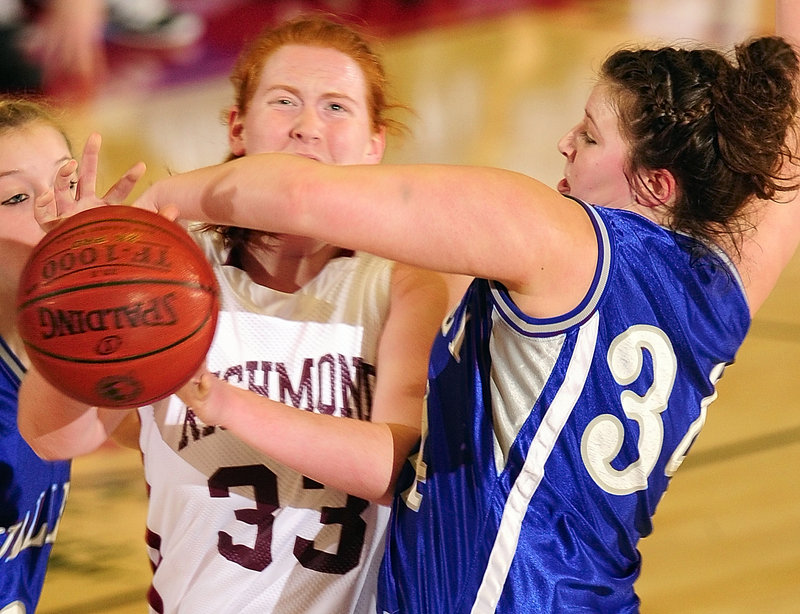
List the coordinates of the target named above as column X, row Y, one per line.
column 720, row 127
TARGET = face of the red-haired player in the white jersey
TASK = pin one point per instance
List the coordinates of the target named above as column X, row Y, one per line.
column 311, row 101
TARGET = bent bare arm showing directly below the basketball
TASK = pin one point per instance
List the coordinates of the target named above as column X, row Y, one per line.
column 58, row 427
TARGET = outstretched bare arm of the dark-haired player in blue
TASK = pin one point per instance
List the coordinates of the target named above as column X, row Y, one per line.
column 481, row 222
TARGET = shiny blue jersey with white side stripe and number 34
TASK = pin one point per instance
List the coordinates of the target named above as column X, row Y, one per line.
column 548, row 443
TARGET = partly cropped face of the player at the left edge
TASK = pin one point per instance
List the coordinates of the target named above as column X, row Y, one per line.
column 29, row 159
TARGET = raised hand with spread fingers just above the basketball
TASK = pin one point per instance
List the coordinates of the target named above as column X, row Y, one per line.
column 74, row 188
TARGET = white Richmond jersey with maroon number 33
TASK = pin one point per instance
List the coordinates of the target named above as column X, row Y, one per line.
column 231, row 530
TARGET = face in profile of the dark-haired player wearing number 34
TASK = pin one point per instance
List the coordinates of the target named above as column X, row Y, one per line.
column 596, row 154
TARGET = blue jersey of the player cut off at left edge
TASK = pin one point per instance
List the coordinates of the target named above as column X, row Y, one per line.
column 32, row 497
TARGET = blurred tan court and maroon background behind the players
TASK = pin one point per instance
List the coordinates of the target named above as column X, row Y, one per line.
column 493, row 82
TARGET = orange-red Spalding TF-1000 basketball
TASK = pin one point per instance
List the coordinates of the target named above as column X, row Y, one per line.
column 117, row 306
